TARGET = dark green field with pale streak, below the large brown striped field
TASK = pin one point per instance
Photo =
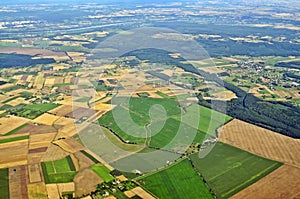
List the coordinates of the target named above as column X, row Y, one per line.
column 228, row 170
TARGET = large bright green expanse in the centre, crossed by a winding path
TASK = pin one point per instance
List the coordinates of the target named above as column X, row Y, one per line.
column 162, row 133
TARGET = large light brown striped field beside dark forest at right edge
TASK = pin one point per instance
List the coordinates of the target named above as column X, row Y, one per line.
column 261, row 141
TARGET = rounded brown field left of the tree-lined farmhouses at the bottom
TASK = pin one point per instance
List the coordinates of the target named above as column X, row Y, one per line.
column 86, row 182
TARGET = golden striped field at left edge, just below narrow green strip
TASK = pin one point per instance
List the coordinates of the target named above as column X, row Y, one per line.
column 13, row 153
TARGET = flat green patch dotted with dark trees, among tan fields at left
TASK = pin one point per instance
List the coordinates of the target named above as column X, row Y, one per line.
column 32, row 111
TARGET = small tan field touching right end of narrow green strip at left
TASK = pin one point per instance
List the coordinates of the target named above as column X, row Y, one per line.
column 40, row 140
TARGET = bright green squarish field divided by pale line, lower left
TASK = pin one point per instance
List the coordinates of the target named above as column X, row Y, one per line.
column 59, row 171
